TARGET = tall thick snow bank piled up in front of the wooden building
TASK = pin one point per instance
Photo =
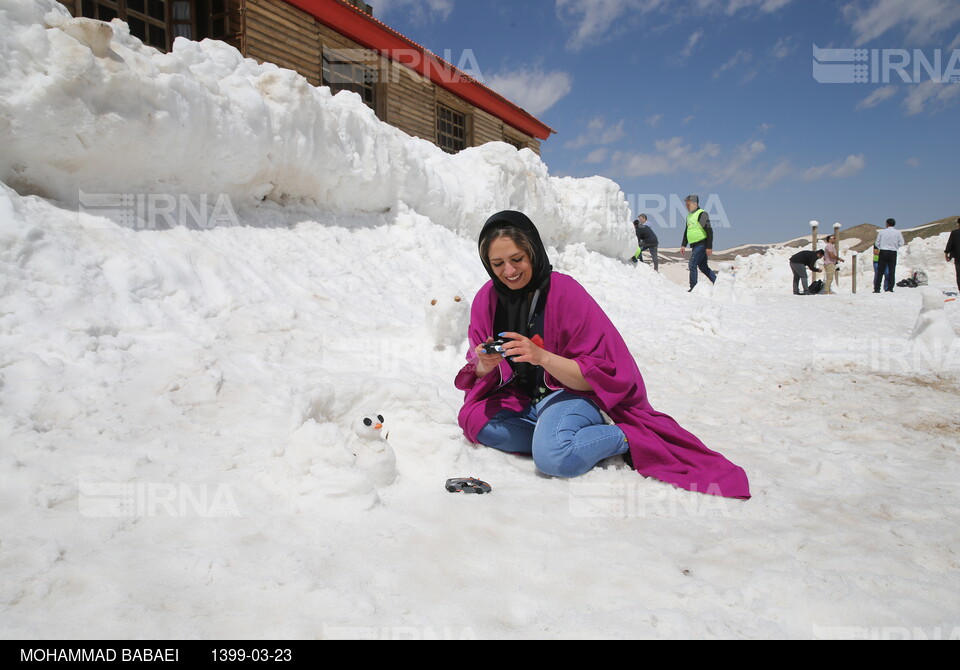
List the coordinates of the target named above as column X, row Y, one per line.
column 78, row 97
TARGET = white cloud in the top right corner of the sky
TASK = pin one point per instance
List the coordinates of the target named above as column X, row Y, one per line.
column 921, row 20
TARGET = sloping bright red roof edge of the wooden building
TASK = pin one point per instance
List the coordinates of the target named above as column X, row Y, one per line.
column 374, row 34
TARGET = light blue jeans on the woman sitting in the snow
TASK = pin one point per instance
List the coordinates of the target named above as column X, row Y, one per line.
column 565, row 433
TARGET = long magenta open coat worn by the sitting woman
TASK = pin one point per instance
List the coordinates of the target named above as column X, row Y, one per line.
column 577, row 328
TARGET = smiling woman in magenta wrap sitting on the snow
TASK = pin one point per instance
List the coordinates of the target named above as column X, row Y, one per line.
column 563, row 363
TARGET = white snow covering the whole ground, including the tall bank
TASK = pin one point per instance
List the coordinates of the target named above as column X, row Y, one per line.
column 178, row 405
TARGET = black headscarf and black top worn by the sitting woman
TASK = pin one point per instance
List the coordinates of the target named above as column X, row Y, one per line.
column 514, row 305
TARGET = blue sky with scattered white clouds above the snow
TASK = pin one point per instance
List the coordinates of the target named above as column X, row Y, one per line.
column 718, row 97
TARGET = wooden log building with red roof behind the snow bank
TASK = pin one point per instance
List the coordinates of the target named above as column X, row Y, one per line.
column 338, row 43
